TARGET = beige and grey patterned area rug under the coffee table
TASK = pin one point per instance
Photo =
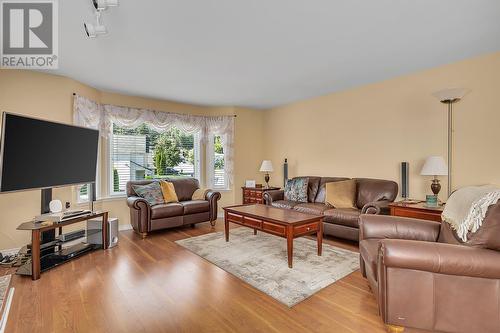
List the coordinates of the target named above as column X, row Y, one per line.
column 261, row 261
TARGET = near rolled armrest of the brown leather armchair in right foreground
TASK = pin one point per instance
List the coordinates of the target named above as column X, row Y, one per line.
column 440, row 258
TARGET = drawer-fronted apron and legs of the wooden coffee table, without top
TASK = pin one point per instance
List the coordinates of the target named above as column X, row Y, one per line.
column 290, row 231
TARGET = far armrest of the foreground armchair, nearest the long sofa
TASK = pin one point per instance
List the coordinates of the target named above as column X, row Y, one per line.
column 382, row 226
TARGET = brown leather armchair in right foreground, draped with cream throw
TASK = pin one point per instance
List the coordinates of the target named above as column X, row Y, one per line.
column 424, row 277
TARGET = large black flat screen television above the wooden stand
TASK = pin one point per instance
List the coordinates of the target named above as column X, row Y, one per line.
column 39, row 154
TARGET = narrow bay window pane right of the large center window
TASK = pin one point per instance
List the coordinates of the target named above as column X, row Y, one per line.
column 216, row 161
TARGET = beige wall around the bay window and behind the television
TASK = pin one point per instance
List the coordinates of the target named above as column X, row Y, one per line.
column 50, row 97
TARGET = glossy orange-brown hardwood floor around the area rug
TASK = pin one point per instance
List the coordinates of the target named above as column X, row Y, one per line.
column 154, row 285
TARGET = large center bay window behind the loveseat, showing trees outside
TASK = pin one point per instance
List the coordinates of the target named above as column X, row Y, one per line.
column 143, row 153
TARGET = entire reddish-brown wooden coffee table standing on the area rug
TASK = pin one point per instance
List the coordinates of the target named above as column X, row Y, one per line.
column 285, row 223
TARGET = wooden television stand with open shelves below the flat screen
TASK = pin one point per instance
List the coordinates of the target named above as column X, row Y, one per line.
column 37, row 228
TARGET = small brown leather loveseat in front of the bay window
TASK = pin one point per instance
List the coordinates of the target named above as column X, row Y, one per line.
column 145, row 218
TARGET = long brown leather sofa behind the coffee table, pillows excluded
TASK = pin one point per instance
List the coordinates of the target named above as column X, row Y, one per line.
column 372, row 197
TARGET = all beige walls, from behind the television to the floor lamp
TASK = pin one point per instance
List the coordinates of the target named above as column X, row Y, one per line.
column 362, row 132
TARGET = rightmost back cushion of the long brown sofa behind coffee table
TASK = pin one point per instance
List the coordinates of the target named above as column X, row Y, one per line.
column 370, row 190
